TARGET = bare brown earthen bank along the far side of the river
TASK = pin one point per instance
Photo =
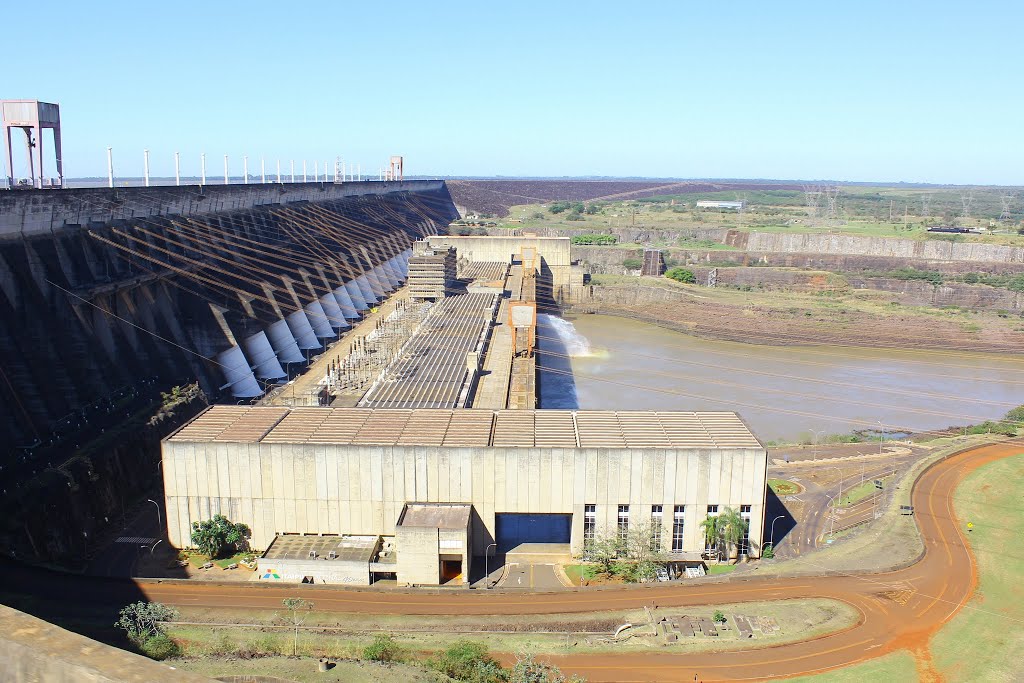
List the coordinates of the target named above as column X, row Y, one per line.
column 788, row 319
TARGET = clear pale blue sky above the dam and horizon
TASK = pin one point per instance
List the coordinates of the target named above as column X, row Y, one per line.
column 915, row 92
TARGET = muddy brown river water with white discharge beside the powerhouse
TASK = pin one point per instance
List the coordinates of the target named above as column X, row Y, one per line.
column 783, row 393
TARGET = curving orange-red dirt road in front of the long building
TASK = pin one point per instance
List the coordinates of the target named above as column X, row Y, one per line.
column 900, row 610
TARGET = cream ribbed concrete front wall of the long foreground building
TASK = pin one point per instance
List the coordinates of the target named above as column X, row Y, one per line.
column 362, row 490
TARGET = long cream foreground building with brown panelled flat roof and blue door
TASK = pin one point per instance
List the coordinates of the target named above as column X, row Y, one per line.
column 416, row 494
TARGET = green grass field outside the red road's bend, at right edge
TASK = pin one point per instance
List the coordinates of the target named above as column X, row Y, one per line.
column 986, row 642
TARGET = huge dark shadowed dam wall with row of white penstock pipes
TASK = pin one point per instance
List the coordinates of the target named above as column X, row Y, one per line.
column 111, row 297
